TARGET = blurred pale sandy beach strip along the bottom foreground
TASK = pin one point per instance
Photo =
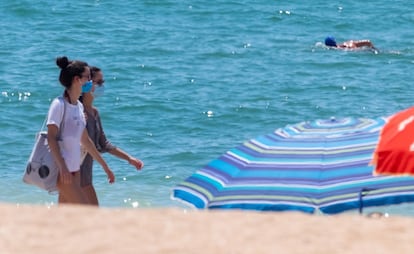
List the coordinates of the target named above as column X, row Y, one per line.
column 80, row 229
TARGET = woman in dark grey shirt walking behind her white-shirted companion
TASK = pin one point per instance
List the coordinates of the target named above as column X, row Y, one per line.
column 97, row 135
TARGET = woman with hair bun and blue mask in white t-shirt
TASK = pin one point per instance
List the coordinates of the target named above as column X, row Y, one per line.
column 65, row 144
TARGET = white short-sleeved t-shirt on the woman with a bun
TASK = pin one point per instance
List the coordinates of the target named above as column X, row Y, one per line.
column 73, row 127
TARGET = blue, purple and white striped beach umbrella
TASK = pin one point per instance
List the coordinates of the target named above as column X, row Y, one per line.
column 317, row 165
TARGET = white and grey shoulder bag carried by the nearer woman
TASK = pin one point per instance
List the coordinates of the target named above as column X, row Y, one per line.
column 41, row 169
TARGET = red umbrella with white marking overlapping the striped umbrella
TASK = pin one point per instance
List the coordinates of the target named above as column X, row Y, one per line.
column 394, row 154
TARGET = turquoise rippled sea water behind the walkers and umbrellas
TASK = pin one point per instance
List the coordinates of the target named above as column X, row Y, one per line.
column 188, row 80
